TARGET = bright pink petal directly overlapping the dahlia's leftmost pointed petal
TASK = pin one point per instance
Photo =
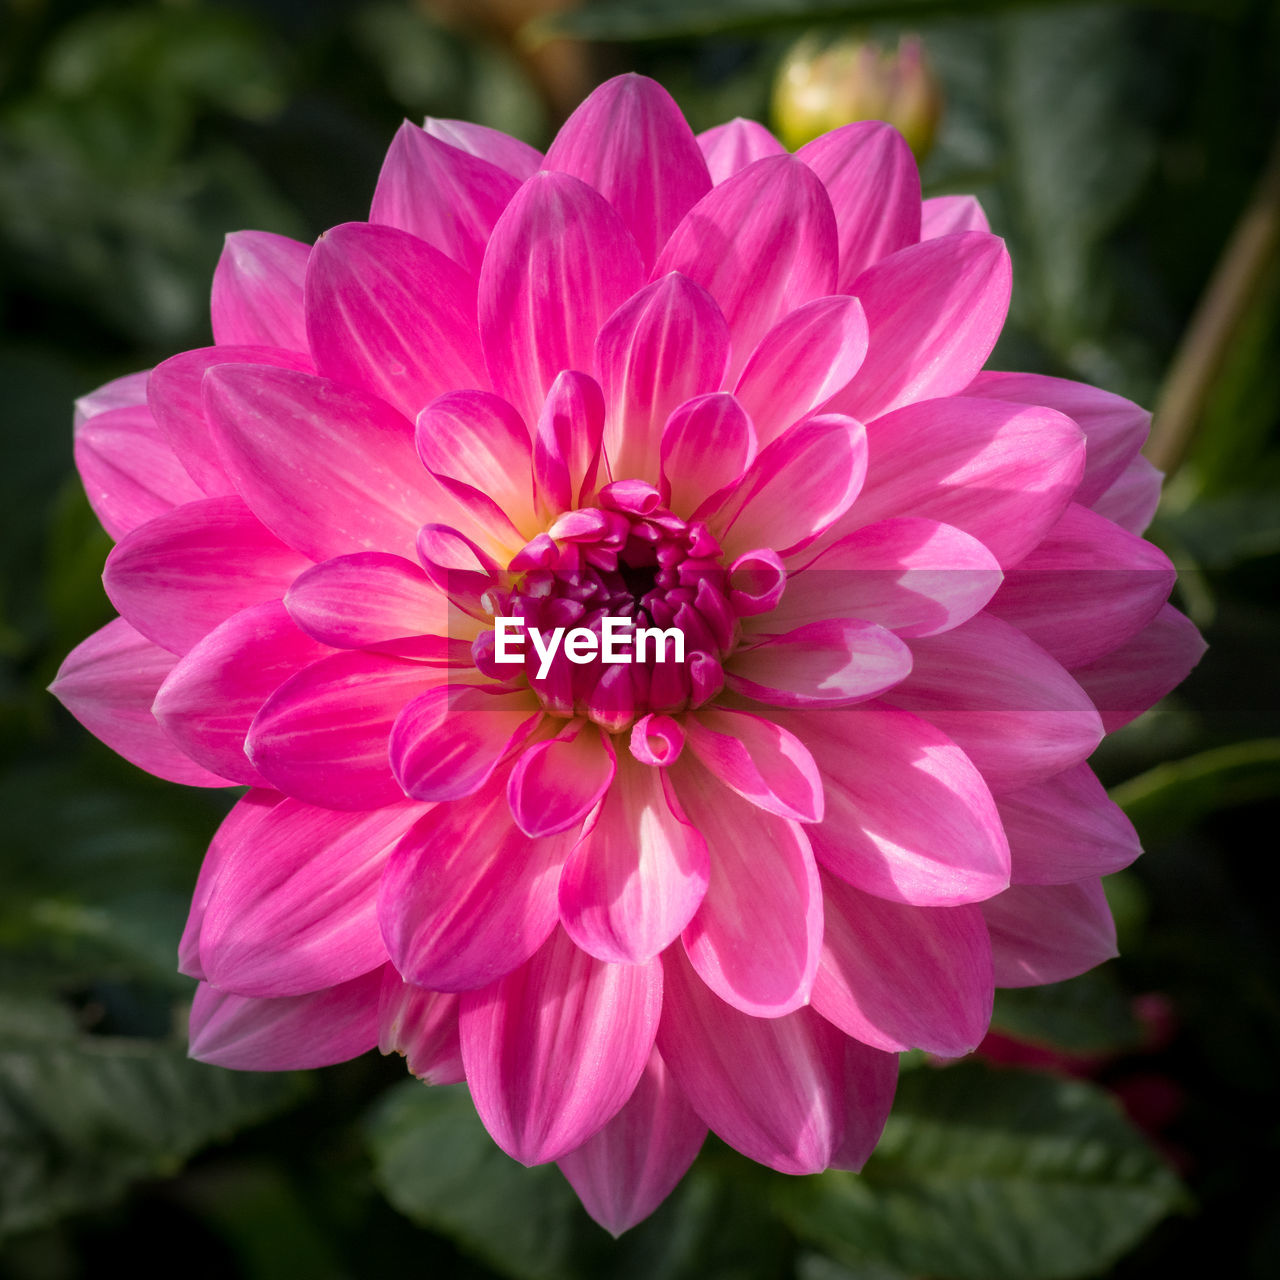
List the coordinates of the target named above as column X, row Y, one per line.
column 213, row 694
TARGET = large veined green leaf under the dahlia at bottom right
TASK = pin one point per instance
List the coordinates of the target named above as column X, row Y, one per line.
column 990, row 1174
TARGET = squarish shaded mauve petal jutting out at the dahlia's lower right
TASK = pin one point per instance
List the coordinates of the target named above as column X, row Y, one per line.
column 1049, row 932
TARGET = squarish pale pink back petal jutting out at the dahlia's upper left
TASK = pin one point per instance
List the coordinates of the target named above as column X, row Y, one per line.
column 258, row 292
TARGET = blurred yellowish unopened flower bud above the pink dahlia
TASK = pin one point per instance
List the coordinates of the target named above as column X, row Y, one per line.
column 820, row 89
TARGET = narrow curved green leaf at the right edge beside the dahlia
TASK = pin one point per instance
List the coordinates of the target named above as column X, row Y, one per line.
column 1173, row 797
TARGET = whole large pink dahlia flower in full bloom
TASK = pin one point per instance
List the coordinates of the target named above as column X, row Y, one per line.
column 648, row 381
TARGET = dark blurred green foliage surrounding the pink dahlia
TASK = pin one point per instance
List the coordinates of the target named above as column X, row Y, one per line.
column 1116, row 147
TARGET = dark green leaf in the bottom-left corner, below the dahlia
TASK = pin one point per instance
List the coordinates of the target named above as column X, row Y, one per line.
column 84, row 1117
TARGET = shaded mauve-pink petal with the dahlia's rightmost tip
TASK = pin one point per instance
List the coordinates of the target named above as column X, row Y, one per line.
column 1139, row 674
